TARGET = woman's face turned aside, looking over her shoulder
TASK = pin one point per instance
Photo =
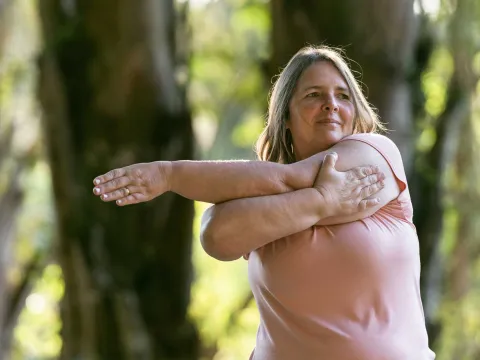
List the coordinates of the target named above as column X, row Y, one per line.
column 321, row 110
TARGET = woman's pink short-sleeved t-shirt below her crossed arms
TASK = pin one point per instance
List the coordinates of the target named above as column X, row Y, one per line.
column 344, row 292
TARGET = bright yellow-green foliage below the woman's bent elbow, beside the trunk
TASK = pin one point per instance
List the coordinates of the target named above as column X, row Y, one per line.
column 220, row 290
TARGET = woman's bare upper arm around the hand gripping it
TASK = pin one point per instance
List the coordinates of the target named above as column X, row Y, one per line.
column 353, row 153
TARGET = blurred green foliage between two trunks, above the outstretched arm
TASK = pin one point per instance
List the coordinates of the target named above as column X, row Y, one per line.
column 230, row 42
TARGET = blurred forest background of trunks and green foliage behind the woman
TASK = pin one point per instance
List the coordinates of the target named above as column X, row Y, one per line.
column 89, row 85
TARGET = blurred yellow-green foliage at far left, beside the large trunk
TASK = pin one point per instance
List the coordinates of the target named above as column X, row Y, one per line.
column 37, row 332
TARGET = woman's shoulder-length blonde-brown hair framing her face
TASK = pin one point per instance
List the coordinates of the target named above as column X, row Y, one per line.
column 275, row 142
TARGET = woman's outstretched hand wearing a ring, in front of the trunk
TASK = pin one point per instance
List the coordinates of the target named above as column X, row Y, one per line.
column 135, row 183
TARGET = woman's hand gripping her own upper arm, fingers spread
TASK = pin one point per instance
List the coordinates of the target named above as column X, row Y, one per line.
column 347, row 192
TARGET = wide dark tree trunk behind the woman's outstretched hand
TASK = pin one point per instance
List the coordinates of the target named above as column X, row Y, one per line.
column 110, row 98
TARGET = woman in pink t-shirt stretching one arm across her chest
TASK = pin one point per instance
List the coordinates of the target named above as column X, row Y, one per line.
column 334, row 270
